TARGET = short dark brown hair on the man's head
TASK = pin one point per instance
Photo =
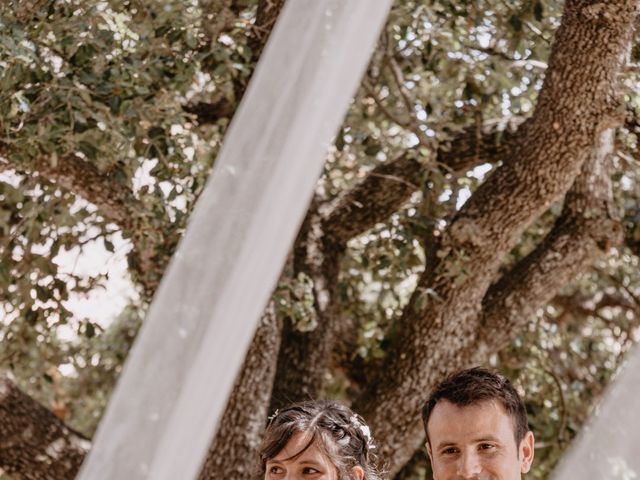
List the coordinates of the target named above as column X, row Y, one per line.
column 476, row 385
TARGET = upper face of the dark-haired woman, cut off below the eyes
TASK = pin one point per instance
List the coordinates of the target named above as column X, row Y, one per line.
column 312, row 464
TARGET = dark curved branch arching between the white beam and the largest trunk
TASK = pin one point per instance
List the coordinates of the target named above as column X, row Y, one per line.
column 321, row 244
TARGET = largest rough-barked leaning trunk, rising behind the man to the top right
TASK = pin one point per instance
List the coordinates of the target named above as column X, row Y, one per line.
column 577, row 103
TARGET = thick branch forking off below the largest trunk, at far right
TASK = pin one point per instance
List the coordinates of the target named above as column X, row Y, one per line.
column 587, row 226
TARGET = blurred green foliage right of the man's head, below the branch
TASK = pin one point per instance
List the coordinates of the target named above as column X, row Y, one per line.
column 575, row 346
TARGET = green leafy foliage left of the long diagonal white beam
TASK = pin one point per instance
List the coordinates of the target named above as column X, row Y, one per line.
column 104, row 82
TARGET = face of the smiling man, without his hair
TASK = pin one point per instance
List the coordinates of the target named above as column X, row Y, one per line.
column 476, row 442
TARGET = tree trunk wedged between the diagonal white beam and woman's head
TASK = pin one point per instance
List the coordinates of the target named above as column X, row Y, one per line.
column 245, row 416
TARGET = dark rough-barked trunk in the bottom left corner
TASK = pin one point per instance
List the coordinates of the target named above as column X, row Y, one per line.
column 34, row 443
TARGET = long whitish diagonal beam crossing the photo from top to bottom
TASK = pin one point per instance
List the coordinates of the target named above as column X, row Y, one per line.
column 176, row 380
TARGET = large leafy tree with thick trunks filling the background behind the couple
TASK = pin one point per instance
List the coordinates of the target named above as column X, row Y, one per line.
column 479, row 206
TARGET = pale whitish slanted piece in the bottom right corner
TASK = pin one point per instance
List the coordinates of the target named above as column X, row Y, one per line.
column 608, row 447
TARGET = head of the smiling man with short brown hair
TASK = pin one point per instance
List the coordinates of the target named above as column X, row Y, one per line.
column 477, row 429
